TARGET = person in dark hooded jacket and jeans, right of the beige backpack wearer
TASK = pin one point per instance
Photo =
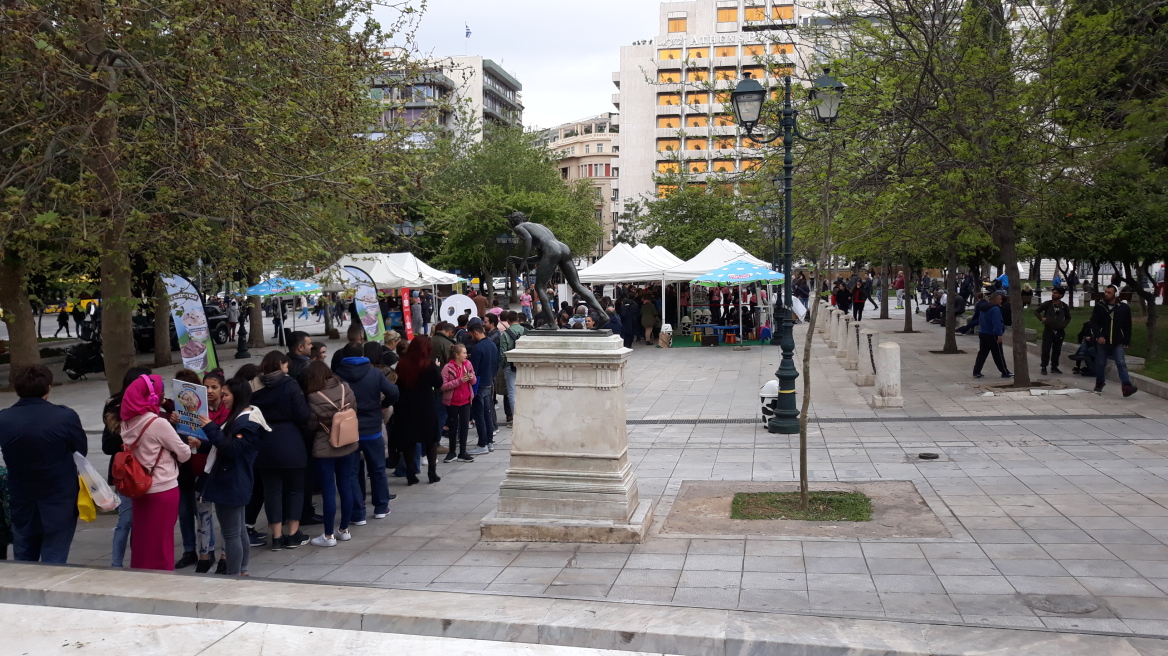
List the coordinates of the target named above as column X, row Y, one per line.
column 373, row 393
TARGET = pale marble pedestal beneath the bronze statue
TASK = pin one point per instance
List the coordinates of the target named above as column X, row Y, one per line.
column 569, row 478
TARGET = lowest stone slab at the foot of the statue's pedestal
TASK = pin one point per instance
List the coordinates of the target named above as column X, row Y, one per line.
column 604, row 532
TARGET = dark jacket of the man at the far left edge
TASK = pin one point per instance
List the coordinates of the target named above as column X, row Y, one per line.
column 38, row 441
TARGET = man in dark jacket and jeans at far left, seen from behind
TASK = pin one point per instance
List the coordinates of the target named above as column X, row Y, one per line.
column 38, row 441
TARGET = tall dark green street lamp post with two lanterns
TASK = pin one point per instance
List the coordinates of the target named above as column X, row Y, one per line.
column 748, row 101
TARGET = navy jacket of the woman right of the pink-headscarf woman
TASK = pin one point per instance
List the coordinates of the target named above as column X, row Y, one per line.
column 232, row 478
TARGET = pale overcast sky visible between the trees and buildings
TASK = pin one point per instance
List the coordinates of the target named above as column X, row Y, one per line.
column 562, row 52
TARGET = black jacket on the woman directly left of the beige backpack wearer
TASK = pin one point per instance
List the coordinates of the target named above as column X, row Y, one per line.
column 282, row 402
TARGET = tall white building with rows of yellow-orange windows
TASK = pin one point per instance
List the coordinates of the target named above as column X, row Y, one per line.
column 675, row 90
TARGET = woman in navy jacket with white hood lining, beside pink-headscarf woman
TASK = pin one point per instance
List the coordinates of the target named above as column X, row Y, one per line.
column 230, row 483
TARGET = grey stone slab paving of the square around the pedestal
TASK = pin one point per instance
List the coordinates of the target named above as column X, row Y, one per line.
column 1059, row 514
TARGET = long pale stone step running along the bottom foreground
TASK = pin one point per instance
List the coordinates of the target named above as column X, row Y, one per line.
column 536, row 620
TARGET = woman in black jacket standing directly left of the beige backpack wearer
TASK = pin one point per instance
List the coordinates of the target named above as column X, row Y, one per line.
column 283, row 456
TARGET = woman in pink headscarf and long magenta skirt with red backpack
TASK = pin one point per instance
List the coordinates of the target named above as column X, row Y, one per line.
column 155, row 444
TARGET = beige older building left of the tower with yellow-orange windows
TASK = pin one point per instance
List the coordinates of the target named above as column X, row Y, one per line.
column 588, row 150
